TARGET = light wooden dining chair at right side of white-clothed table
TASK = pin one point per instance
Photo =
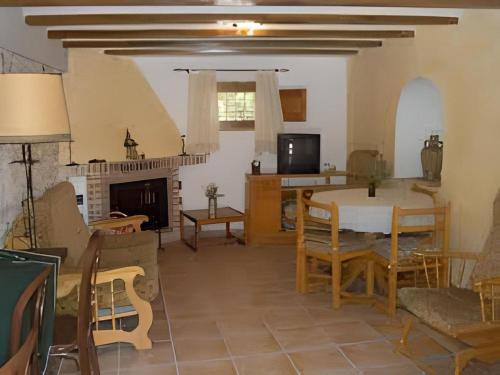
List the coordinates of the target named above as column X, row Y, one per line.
column 397, row 263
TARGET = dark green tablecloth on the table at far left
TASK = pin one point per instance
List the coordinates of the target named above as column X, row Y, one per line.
column 17, row 271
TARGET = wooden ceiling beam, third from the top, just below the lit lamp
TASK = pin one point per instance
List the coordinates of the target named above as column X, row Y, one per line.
column 225, row 33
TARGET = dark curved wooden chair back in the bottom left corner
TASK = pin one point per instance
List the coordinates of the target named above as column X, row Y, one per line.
column 23, row 358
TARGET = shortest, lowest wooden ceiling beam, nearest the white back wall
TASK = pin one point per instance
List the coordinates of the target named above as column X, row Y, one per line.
column 165, row 52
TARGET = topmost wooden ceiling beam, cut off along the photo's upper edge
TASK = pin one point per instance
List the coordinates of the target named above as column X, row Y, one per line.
column 478, row 4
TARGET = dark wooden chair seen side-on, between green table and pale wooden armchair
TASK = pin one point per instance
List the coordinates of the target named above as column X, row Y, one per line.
column 82, row 349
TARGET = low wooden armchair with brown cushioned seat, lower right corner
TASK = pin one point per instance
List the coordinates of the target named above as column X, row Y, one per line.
column 470, row 316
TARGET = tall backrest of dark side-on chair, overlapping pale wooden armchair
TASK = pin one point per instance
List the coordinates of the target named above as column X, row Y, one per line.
column 84, row 337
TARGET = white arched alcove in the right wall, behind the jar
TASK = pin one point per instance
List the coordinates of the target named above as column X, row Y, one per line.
column 419, row 114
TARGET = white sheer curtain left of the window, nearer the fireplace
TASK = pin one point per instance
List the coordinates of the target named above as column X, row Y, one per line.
column 203, row 122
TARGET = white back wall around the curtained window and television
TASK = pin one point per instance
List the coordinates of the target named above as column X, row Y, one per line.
column 325, row 81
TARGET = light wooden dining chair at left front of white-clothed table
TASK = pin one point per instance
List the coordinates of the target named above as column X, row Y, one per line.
column 320, row 244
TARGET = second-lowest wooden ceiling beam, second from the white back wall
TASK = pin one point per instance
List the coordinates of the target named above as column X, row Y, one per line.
column 245, row 43
